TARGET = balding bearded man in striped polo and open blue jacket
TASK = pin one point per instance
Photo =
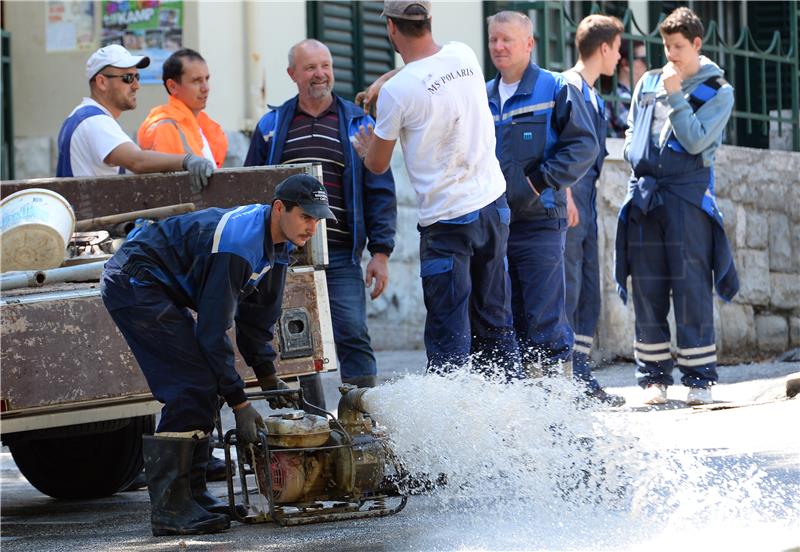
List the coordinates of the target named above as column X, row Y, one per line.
column 317, row 126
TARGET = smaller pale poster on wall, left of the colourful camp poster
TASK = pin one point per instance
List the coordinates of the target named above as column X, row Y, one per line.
column 69, row 25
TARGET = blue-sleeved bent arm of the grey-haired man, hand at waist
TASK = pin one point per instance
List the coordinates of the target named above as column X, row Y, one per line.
column 576, row 148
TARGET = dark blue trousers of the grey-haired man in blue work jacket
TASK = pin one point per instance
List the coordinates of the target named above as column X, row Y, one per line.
column 536, row 267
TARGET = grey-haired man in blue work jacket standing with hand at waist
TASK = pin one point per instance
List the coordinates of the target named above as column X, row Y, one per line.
column 545, row 143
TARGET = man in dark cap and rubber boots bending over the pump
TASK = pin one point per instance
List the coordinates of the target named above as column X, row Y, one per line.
column 227, row 265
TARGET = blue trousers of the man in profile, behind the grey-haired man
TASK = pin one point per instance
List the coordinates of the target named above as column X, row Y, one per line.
column 582, row 270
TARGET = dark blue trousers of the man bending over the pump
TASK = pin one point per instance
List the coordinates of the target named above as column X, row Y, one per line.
column 162, row 338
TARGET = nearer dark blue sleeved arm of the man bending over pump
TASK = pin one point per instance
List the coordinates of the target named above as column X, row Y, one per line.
column 217, row 303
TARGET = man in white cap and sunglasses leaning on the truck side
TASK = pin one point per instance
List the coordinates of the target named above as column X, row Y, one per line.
column 91, row 142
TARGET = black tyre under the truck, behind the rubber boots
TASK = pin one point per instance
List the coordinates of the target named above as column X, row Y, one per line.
column 90, row 462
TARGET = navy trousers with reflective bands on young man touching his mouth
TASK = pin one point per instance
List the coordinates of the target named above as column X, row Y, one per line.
column 670, row 251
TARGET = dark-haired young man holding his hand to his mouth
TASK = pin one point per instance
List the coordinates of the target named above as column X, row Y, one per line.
column 670, row 236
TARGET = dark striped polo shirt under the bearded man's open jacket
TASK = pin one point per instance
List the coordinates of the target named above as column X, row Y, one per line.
column 316, row 140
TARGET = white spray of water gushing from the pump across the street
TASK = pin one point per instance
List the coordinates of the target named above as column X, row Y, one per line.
column 530, row 467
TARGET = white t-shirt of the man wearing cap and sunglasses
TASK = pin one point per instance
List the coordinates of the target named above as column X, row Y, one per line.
column 93, row 140
